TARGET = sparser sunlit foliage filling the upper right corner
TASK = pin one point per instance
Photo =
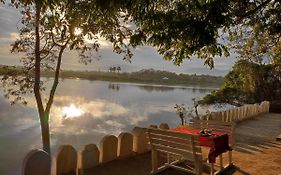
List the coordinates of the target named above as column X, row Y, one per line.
column 257, row 37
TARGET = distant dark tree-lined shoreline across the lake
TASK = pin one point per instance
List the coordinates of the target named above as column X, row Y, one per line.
column 146, row 76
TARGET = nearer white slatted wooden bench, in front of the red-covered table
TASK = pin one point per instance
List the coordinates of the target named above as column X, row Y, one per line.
column 174, row 144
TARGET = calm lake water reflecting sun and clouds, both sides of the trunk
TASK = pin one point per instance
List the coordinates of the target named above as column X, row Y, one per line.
column 83, row 112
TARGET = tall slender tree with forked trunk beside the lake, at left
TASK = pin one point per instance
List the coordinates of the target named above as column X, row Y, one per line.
column 49, row 28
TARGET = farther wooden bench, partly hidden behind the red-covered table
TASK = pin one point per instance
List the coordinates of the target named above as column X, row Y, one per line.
column 224, row 127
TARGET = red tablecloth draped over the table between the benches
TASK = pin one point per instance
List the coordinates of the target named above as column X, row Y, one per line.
column 218, row 142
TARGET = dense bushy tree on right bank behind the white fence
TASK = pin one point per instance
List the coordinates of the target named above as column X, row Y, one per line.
column 248, row 82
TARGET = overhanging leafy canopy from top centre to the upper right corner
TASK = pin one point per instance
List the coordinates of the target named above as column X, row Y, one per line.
column 180, row 29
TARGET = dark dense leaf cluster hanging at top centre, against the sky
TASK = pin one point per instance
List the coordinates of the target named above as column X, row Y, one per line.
column 180, row 29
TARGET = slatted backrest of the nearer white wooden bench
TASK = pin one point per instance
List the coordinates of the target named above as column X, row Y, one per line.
column 175, row 143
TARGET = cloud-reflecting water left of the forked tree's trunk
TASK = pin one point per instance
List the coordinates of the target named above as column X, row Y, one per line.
column 19, row 132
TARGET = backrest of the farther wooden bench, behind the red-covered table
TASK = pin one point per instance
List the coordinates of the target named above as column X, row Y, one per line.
column 224, row 127
